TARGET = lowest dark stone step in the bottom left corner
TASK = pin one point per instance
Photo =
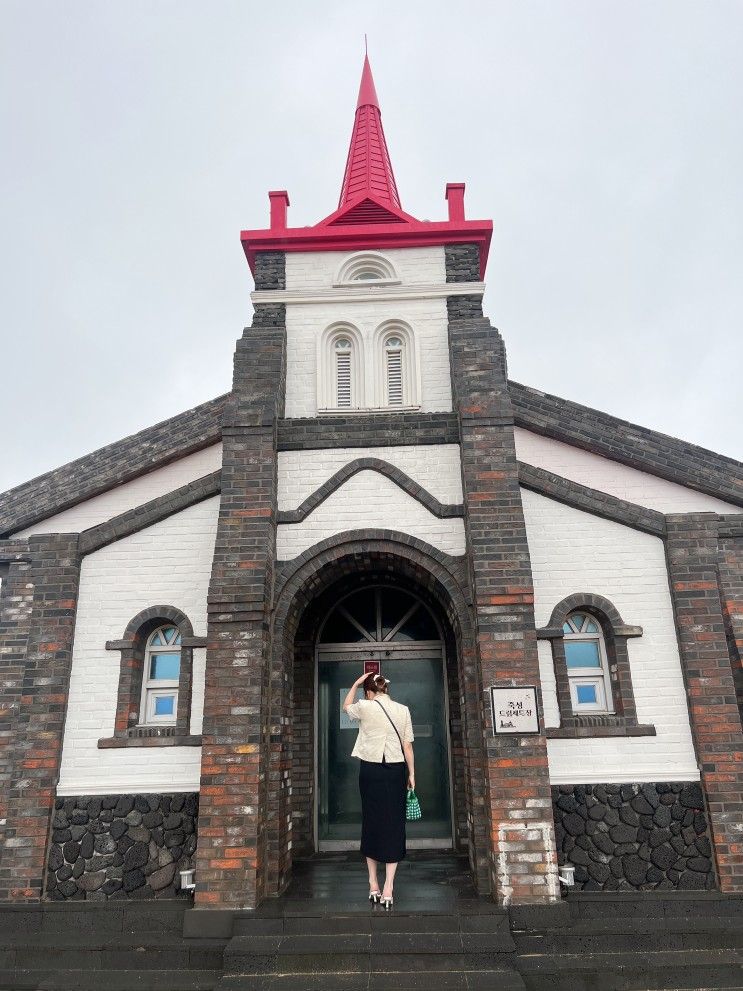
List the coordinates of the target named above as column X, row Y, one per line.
column 110, row 980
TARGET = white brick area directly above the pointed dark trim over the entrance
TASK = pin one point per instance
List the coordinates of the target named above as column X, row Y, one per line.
column 436, row 467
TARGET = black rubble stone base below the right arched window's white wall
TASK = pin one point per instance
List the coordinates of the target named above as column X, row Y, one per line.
column 637, row 837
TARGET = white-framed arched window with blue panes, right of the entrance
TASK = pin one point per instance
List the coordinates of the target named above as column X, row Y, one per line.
column 586, row 661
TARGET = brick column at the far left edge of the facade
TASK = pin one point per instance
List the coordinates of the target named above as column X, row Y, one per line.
column 37, row 622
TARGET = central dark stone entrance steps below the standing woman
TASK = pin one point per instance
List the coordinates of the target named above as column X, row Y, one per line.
column 373, row 951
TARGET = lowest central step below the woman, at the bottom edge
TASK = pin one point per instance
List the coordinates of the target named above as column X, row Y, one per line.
column 497, row 979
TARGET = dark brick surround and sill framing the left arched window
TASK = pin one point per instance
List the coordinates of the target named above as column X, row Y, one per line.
column 132, row 647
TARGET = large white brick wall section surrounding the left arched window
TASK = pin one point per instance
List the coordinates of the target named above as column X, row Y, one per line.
column 168, row 563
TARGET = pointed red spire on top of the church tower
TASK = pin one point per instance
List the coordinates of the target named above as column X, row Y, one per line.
column 369, row 174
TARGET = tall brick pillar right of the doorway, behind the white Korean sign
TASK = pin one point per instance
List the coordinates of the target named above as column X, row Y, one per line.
column 523, row 866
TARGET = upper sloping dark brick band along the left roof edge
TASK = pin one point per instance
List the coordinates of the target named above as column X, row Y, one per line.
column 112, row 465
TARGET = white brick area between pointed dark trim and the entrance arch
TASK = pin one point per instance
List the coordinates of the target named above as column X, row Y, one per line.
column 370, row 500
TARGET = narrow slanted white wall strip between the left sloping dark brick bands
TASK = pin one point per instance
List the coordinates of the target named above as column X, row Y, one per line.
column 104, row 507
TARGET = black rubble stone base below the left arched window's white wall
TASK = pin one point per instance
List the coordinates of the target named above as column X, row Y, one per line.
column 120, row 846
